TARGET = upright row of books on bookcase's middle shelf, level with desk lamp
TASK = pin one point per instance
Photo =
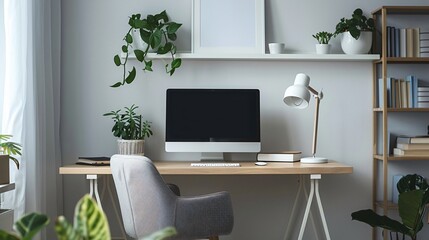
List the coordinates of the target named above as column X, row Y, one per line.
column 404, row 93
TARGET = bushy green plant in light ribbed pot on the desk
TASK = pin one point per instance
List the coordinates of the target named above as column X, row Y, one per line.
column 131, row 129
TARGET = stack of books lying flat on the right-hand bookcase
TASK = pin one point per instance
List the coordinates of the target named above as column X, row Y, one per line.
column 412, row 146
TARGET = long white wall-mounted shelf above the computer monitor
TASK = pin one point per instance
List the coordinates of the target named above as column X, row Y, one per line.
column 269, row 57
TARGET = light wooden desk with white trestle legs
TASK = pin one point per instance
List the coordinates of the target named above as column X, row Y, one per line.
column 247, row 168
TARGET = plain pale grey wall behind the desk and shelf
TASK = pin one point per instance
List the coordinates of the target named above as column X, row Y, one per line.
column 91, row 35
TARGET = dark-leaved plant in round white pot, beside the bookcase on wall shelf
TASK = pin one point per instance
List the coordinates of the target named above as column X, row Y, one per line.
column 356, row 33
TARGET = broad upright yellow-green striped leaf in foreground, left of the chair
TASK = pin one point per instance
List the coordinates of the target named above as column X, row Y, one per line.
column 90, row 220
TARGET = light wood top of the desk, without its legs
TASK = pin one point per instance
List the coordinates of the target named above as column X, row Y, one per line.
column 246, row 168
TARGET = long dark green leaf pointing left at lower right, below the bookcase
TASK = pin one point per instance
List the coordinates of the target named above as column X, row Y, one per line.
column 368, row 216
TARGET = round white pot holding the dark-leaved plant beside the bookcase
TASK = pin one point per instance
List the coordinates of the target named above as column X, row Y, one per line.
column 360, row 46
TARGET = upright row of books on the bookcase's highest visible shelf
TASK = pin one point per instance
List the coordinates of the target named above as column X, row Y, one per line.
column 407, row 42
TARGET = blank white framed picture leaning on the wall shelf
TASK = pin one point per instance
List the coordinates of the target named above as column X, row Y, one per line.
column 228, row 26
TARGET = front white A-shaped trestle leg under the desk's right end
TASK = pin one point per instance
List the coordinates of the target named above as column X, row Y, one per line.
column 314, row 181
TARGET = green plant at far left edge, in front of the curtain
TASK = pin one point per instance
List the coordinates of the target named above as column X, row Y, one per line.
column 7, row 149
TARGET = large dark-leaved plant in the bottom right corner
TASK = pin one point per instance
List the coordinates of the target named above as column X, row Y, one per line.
column 413, row 197
